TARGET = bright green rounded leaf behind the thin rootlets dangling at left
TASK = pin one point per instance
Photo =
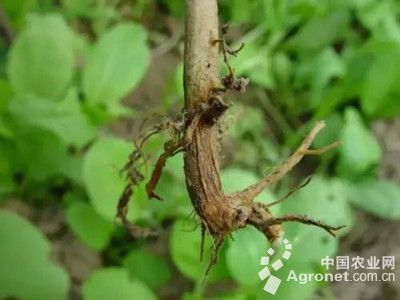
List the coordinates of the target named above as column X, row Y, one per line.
column 101, row 175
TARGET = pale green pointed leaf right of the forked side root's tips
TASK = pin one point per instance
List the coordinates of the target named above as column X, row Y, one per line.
column 359, row 150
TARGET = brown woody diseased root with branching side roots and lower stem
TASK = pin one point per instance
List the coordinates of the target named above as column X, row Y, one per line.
column 220, row 214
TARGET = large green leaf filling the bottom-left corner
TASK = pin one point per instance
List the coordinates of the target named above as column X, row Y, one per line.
column 26, row 272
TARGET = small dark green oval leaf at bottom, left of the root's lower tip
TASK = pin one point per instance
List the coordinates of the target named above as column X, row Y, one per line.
column 148, row 267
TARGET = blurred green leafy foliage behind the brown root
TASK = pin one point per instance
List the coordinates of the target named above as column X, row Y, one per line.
column 65, row 69
